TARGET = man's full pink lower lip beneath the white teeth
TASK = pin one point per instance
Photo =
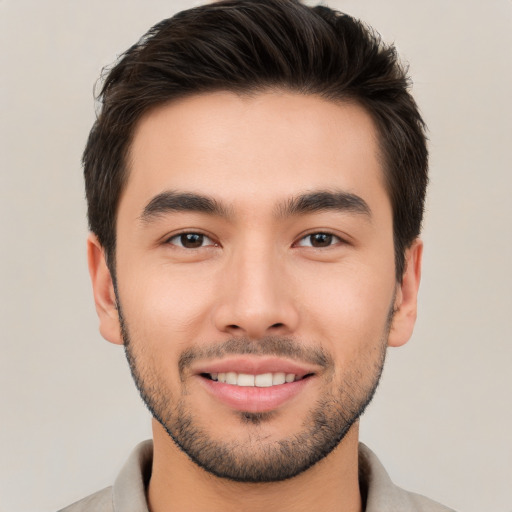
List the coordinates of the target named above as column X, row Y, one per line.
column 254, row 399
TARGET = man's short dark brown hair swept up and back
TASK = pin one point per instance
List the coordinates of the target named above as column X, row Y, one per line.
column 250, row 45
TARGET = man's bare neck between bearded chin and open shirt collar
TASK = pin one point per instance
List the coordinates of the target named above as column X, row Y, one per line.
column 331, row 484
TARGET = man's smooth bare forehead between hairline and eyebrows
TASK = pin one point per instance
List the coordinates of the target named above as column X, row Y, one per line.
column 250, row 150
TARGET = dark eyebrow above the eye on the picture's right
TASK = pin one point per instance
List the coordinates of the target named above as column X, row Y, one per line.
column 325, row 200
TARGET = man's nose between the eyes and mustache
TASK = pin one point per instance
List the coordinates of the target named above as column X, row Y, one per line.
column 257, row 297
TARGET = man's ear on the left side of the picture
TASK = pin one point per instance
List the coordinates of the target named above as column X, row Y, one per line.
column 103, row 290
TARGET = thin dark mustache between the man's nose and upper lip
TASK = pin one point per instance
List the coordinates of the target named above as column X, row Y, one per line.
column 267, row 346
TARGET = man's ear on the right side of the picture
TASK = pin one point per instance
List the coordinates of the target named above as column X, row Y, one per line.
column 406, row 300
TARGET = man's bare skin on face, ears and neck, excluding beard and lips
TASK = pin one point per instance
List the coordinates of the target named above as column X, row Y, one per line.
column 256, row 275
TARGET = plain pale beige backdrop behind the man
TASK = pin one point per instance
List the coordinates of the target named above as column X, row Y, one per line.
column 442, row 419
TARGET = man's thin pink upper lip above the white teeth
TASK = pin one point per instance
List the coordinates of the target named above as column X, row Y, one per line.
column 255, row 366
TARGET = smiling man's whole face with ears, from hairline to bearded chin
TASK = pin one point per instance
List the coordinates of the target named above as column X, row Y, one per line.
column 255, row 277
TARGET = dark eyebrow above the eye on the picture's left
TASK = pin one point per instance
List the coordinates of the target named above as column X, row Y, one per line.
column 170, row 201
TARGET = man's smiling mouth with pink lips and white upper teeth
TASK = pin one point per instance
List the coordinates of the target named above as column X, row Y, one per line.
column 255, row 385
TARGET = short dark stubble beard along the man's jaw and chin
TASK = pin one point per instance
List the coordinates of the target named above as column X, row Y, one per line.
column 255, row 459
